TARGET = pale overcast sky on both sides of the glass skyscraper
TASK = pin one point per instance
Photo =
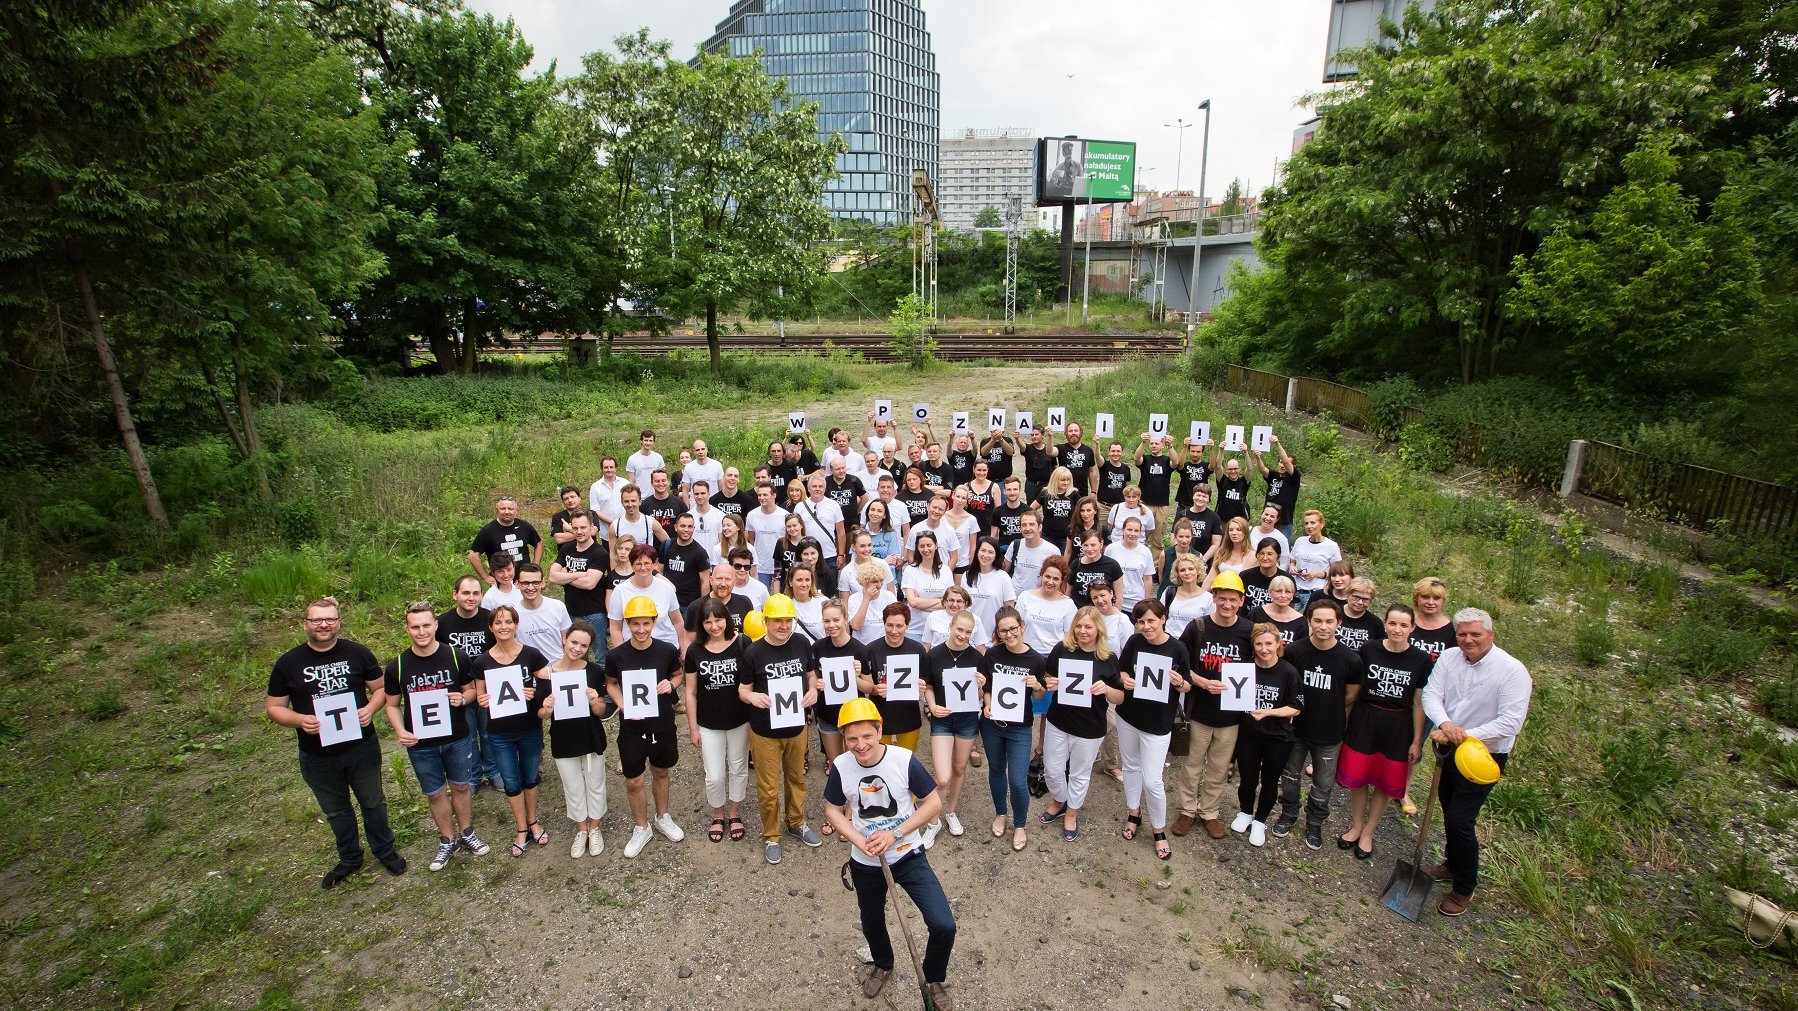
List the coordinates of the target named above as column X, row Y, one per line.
column 1108, row 69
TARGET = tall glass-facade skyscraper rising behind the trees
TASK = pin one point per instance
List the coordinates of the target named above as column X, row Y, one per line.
column 871, row 69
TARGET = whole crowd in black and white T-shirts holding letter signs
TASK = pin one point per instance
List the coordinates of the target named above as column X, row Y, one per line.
column 1040, row 607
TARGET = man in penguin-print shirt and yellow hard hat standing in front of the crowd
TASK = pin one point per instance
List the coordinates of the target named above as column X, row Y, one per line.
column 878, row 798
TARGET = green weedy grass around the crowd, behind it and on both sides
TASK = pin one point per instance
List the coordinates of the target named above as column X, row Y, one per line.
column 161, row 850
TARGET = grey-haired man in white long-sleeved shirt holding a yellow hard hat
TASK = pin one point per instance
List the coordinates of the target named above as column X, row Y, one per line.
column 1479, row 697
